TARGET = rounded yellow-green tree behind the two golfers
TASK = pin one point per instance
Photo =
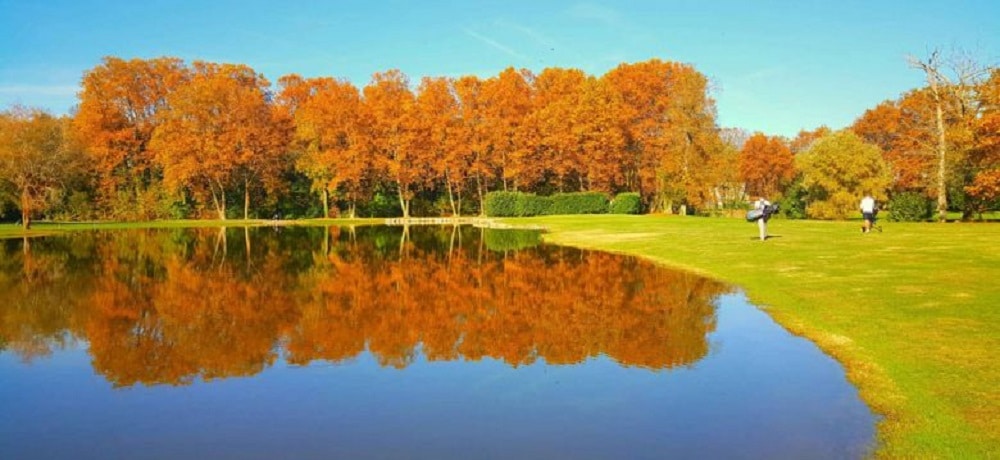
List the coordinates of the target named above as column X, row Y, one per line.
column 837, row 171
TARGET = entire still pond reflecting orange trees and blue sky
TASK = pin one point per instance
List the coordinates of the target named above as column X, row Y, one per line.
column 375, row 342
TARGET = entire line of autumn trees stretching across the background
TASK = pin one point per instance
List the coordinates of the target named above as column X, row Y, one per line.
column 163, row 138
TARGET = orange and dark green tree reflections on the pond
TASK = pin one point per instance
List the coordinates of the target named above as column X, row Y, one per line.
column 172, row 306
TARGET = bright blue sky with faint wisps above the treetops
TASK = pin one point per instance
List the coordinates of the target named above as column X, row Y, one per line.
column 776, row 66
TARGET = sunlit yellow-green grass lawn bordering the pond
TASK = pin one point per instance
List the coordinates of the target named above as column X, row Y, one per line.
column 913, row 313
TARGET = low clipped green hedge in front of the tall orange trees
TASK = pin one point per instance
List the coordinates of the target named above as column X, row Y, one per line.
column 517, row 204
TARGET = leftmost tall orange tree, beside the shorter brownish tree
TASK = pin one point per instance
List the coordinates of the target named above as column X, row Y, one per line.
column 120, row 106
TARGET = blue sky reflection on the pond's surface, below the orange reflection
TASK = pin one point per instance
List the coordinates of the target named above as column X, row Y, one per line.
column 761, row 393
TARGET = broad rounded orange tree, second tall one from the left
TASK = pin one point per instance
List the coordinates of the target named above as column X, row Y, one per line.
column 220, row 133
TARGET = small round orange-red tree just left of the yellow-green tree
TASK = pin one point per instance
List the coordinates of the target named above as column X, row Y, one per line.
column 766, row 165
